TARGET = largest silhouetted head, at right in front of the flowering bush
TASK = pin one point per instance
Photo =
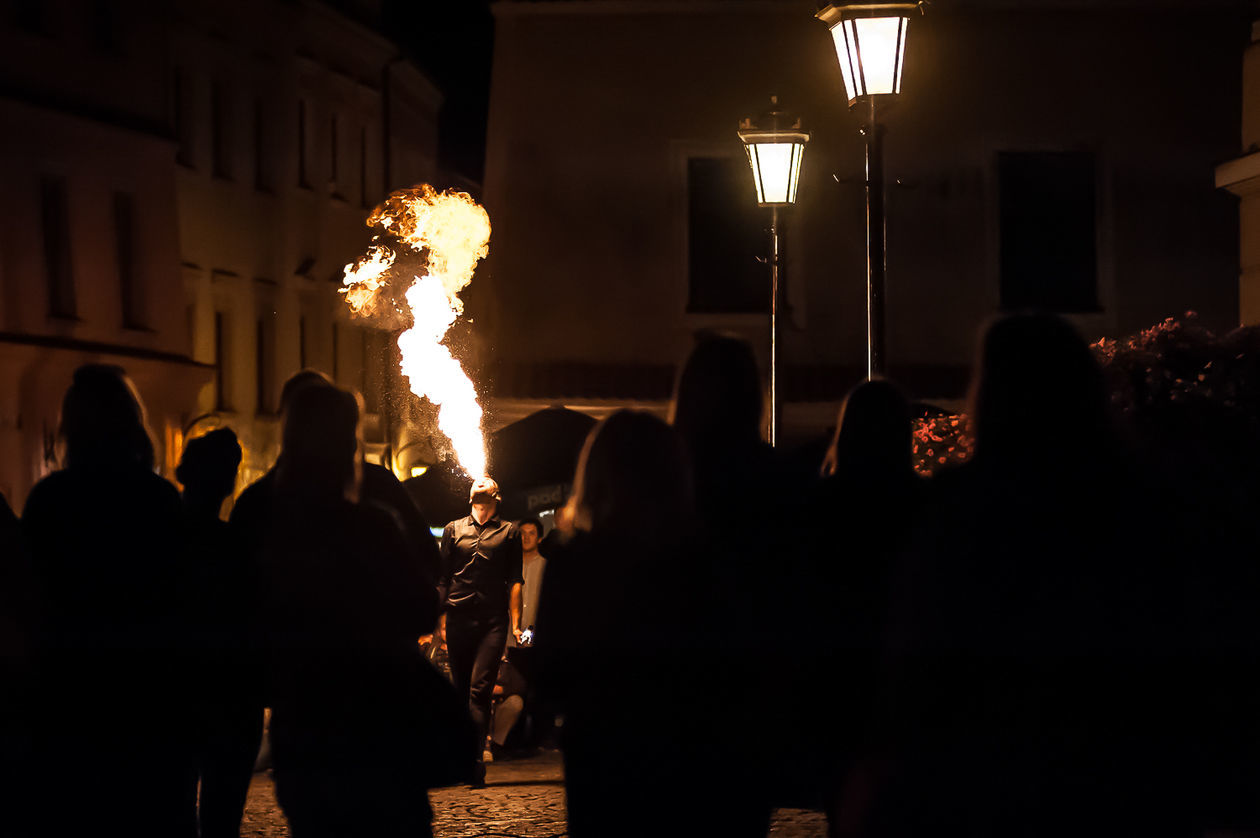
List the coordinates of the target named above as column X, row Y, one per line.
column 1038, row 393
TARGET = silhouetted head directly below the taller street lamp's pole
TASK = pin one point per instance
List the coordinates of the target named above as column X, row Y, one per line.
column 873, row 432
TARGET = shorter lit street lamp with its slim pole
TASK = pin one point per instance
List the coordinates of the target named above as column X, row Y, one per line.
column 776, row 147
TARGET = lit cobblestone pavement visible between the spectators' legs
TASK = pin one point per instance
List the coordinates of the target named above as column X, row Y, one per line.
column 522, row 800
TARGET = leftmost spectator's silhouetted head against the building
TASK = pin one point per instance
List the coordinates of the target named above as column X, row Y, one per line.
column 104, row 422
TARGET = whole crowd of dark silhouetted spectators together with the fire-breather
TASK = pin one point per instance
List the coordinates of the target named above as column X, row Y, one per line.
column 1055, row 638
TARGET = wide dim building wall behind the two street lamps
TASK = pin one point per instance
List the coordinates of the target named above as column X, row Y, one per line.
column 1041, row 154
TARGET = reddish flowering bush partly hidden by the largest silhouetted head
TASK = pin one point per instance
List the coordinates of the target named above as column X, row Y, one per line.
column 1172, row 382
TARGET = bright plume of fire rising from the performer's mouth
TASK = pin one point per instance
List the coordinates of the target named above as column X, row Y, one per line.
column 450, row 234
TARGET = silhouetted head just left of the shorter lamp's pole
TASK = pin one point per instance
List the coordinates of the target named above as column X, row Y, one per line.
column 718, row 400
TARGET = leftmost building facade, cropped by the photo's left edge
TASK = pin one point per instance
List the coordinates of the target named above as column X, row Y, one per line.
column 89, row 238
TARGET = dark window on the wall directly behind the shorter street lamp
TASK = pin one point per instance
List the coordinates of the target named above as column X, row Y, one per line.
column 728, row 235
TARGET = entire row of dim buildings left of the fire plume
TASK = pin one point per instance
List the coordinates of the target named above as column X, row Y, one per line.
column 183, row 185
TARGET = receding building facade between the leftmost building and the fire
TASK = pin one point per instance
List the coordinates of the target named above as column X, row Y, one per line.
column 289, row 129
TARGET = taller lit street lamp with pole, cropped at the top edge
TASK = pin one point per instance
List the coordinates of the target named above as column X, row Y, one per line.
column 871, row 47
